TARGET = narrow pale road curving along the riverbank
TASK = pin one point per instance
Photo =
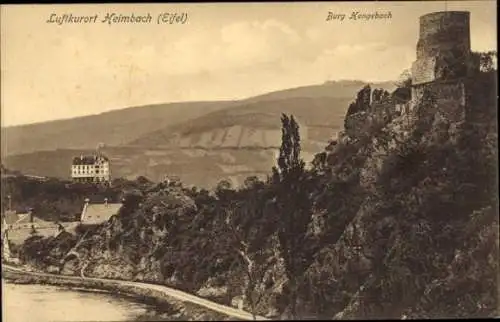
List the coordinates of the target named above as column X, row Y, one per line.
column 167, row 291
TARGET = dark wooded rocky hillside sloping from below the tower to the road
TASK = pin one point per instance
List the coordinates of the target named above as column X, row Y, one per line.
column 396, row 219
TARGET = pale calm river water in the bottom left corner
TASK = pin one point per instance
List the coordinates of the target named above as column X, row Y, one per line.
column 39, row 303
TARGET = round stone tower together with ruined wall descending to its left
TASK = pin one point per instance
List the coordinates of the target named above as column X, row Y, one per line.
column 443, row 50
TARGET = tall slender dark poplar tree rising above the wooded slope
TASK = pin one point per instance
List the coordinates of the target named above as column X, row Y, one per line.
column 293, row 205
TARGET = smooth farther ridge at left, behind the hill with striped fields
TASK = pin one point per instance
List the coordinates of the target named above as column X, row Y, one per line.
column 112, row 127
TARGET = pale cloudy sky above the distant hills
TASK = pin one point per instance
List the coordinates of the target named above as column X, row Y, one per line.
column 224, row 51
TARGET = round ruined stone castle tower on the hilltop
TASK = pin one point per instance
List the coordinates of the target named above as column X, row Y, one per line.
column 443, row 56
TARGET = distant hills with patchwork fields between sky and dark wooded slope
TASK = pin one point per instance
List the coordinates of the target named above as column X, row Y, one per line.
column 227, row 139
